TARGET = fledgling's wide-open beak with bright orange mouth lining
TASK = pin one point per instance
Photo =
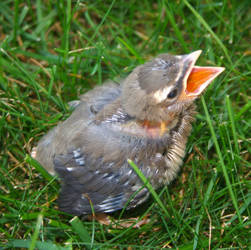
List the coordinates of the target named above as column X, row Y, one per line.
column 197, row 78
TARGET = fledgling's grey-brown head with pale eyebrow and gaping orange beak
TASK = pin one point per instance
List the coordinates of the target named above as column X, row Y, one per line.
column 164, row 85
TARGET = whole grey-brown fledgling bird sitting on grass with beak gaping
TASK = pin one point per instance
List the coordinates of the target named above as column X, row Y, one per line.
column 147, row 118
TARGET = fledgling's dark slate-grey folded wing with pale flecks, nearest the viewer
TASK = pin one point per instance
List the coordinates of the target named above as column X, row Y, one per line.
column 84, row 187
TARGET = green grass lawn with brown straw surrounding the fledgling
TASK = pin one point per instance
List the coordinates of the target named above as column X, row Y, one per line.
column 52, row 51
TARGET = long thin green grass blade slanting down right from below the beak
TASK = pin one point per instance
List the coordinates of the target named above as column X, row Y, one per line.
column 217, row 147
